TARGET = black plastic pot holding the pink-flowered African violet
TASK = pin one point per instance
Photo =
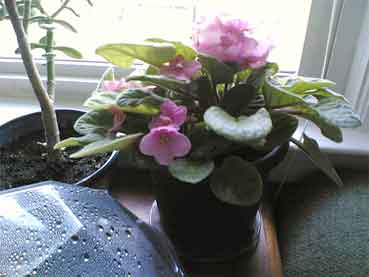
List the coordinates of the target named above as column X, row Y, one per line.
column 203, row 228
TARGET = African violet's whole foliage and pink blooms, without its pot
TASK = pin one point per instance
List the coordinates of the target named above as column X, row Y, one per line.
column 191, row 109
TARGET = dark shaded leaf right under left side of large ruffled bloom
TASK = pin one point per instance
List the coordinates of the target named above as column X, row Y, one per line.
column 219, row 72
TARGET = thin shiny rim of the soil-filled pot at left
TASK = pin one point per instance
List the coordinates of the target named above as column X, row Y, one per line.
column 95, row 174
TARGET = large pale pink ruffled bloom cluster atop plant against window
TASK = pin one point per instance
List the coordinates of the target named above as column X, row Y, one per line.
column 230, row 40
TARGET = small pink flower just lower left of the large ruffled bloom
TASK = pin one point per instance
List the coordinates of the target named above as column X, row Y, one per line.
column 180, row 69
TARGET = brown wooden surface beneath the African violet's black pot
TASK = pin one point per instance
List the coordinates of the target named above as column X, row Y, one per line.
column 264, row 262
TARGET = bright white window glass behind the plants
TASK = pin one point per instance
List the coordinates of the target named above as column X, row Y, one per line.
column 127, row 20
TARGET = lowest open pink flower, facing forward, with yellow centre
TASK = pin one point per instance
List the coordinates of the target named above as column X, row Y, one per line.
column 165, row 144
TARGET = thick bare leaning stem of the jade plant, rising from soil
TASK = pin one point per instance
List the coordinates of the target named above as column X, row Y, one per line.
column 49, row 119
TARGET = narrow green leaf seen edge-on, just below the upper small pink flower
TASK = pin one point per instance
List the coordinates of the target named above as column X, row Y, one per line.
column 162, row 81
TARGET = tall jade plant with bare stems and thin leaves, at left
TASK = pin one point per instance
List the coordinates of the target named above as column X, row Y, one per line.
column 22, row 14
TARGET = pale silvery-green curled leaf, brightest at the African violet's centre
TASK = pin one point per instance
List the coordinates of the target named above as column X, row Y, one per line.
column 244, row 129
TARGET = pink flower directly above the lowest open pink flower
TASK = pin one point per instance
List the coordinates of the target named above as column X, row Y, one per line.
column 170, row 115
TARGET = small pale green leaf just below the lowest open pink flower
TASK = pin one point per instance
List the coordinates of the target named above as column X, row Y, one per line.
column 191, row 171
